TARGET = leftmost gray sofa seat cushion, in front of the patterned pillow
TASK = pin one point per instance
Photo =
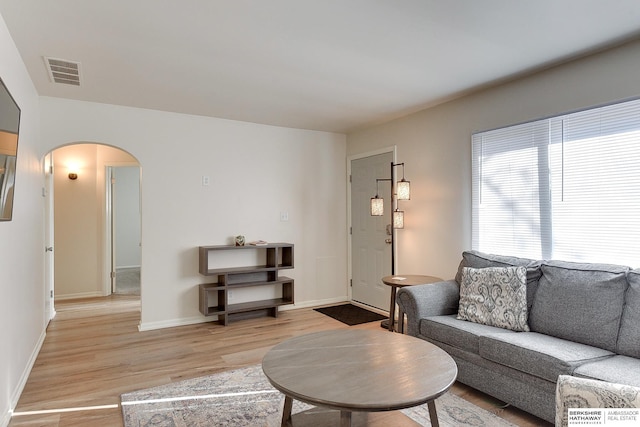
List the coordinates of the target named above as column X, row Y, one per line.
column 456, row 333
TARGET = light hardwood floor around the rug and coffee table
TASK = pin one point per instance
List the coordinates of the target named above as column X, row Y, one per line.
column 94, row 352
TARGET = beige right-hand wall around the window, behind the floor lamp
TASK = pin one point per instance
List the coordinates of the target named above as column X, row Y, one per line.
column 435, row 144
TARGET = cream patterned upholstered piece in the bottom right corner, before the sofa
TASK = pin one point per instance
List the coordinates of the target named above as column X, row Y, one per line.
column 575, row 392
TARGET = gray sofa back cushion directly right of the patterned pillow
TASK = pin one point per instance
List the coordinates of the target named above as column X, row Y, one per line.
column 580, row 302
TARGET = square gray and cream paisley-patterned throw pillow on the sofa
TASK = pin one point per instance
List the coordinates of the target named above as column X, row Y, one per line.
column 495, row 296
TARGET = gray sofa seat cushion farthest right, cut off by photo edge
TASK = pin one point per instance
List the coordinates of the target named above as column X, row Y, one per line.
column 617, row 369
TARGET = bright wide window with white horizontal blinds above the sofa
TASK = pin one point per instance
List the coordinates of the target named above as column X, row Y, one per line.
column 565, row 188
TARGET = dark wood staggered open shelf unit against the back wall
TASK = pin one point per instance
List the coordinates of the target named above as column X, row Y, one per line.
column 214, row 298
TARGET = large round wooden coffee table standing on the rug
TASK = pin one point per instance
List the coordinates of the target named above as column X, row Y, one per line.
column 362, row 371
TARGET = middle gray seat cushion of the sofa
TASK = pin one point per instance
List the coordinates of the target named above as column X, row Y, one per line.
column 540, row 355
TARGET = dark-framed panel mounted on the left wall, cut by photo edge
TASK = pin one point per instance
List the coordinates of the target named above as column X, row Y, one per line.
column 9, row 130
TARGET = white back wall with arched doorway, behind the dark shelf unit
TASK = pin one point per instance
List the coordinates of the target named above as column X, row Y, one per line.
column 255, row 171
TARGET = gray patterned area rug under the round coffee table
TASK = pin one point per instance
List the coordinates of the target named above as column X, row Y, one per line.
column 244, row 397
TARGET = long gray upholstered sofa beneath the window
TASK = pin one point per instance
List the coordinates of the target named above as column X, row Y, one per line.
column 582, row 320
